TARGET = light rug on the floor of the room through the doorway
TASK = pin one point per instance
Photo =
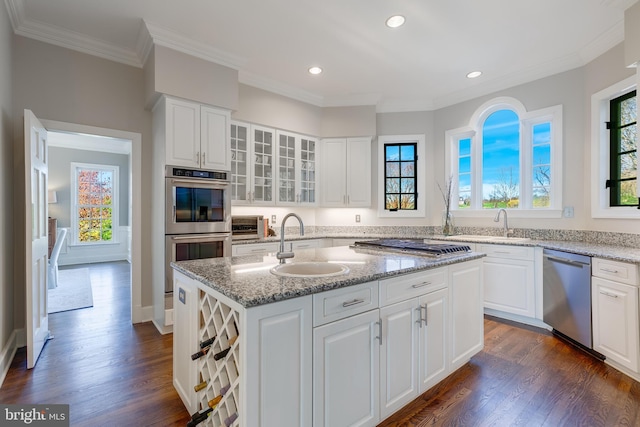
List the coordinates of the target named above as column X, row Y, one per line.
column 73, row 291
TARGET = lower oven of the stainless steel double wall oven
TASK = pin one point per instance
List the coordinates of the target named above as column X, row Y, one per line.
column 193, row 246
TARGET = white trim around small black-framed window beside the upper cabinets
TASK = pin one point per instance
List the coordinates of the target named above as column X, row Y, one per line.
column 421, row 166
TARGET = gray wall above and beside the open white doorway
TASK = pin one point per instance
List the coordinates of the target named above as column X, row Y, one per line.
column 63, row 85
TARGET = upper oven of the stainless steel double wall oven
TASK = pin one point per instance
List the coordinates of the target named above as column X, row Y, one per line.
column 197, row 201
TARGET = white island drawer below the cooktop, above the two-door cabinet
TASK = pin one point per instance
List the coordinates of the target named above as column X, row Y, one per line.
column 400, row 288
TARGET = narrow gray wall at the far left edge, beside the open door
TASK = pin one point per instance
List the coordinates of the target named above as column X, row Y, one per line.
column 7, row 315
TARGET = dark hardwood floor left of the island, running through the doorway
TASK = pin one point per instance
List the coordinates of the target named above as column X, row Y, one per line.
column 110, row 372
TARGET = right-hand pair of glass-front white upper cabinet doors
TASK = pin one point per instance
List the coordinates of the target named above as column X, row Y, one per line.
column 296, row 169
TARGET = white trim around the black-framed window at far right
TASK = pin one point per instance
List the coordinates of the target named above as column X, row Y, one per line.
column 600, row 151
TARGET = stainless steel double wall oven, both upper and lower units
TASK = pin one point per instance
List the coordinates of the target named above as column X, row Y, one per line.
column 197, row 217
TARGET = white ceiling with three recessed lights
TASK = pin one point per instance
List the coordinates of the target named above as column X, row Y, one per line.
column 420, row 66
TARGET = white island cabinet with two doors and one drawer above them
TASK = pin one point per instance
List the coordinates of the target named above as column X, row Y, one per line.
column 413, row 354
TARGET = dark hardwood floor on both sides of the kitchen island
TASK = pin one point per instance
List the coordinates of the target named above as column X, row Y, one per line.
column 112, row 373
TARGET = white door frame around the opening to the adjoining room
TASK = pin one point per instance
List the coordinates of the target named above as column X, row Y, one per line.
column 135, row 162
